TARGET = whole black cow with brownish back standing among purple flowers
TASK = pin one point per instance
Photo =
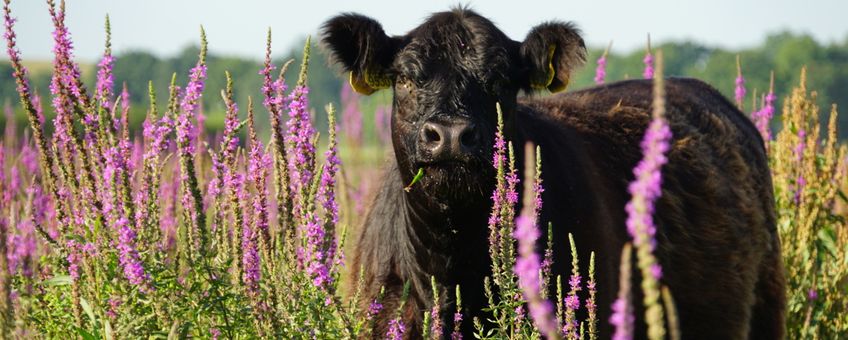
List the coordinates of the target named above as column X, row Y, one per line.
column 716, row 222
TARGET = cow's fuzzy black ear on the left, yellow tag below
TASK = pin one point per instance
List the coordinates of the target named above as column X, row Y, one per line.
column 359, row 44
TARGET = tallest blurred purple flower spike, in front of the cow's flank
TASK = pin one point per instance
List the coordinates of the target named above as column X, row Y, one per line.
column 645, row 189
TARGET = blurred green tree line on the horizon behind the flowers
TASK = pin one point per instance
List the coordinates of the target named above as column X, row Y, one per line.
column 783, row 53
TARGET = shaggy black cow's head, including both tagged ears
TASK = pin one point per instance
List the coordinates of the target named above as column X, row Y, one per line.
column 447, row 75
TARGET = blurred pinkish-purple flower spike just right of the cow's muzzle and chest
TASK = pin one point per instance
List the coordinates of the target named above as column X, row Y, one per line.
column 527, row 266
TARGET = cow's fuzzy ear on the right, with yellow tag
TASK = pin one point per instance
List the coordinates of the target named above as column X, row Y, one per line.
column 552, row 51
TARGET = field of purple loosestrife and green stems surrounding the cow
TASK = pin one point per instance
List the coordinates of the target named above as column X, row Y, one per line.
column 173, row 233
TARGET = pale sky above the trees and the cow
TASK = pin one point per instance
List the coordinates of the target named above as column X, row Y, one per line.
column 164, row 27
